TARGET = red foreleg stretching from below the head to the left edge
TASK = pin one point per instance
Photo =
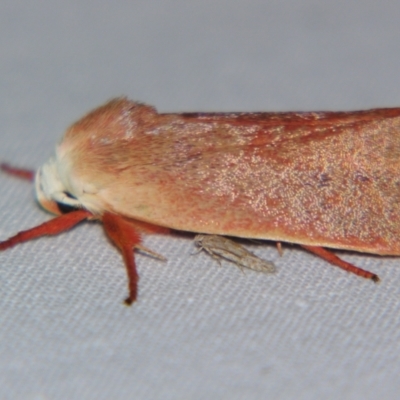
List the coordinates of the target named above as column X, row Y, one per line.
column 52, row 227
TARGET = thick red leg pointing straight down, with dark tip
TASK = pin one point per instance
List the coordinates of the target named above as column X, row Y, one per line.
column 125, row 237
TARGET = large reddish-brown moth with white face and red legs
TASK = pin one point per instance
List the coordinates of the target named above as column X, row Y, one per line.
column 317, row 179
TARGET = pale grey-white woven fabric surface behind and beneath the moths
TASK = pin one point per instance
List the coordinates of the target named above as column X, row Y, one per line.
column 198, row 331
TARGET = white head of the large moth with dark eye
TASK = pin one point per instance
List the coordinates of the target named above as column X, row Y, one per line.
column 51, row 193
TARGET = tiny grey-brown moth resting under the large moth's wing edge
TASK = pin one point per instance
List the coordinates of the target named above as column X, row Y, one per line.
column 221, row 247
